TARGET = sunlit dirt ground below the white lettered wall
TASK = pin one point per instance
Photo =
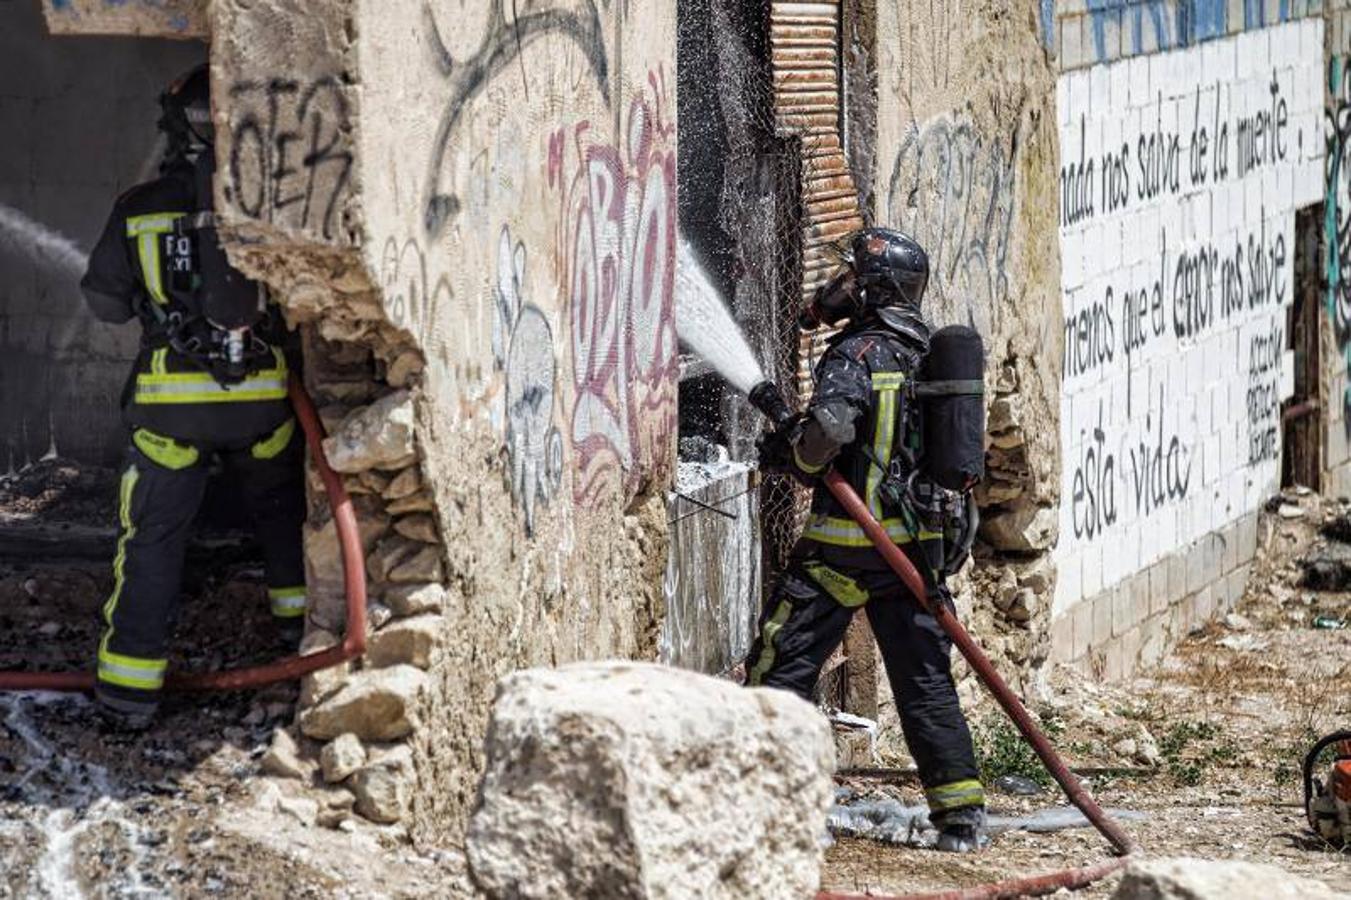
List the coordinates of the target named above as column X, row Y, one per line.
column 1233, row 714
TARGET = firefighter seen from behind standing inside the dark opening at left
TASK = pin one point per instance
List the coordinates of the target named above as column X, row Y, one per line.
column 210, row 382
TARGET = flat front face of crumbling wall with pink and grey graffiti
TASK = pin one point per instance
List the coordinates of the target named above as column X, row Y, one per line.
column 522, row 228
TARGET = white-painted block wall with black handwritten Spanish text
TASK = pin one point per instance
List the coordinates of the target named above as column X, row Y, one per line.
column 1190, row 139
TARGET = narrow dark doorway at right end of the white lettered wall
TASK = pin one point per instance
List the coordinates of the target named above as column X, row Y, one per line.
column 1303, row 414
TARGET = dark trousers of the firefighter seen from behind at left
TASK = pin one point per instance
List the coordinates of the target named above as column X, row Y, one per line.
column 160, row 494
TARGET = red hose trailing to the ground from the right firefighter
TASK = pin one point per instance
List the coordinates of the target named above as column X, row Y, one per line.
column 1034, row 886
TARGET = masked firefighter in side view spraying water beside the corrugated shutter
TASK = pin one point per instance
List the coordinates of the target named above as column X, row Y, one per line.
column 863, row 421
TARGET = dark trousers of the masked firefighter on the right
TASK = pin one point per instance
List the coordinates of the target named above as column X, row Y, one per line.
column 806, row 620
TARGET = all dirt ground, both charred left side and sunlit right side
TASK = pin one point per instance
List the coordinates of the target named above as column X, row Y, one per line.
column 184, row 810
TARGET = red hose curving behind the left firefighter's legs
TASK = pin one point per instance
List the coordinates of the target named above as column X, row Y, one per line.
column 355, row 582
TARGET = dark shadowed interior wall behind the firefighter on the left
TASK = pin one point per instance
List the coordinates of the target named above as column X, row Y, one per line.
column 80, row 117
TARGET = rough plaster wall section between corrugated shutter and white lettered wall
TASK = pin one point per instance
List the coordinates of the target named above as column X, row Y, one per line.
column 967, row 152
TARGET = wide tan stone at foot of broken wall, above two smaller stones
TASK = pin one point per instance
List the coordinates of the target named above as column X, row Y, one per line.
column 378, row 705
